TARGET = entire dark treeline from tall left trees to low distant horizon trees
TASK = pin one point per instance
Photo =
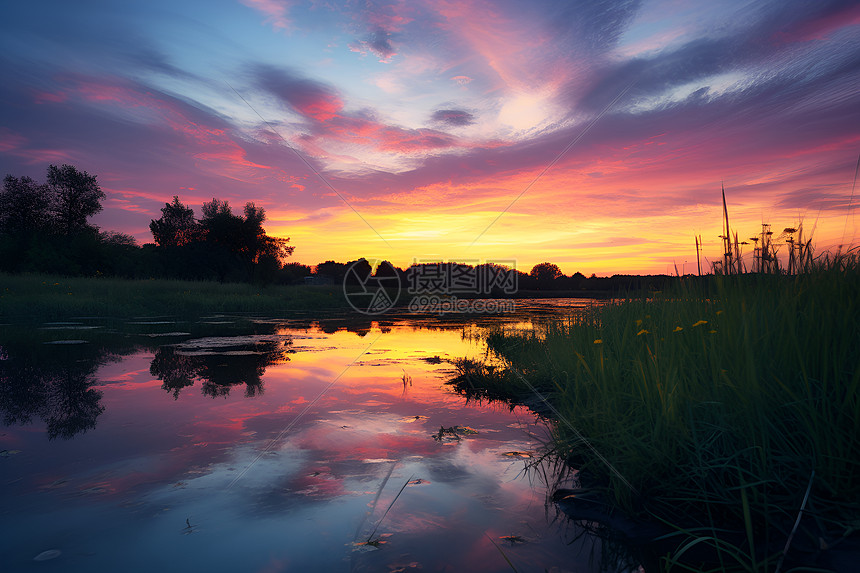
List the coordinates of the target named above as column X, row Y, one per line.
column 45, row 228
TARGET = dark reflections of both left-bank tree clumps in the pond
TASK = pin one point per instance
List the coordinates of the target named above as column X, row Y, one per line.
column 55, row 383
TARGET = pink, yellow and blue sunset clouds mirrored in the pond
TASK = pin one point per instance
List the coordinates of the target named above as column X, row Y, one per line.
column 303, row 492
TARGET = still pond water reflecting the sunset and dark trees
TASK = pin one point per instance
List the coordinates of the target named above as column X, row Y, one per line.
column 266, row 445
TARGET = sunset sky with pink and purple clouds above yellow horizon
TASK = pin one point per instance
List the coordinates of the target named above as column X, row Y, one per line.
column 591, row 134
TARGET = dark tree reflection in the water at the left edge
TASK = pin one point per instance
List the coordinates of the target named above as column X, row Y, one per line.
column 53, row 387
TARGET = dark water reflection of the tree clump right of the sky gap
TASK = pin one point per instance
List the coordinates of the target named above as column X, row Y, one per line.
column 218, row 368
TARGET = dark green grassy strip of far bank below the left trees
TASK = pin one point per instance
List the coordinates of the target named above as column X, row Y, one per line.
column 48, row 297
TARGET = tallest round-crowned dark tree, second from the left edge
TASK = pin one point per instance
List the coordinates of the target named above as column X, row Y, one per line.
column 76, row 197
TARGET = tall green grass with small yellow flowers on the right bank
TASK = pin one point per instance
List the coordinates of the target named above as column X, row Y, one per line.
column 719, row 409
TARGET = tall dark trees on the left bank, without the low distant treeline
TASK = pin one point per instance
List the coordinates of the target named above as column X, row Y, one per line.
column 45, row 228
